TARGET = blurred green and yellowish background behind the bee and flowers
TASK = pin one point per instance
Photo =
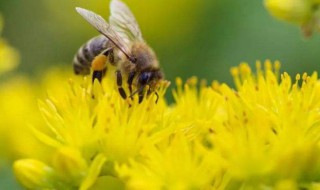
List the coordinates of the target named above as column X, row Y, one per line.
column 191, row 37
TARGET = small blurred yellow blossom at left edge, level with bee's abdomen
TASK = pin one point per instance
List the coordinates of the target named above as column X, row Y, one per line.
column 9, row 57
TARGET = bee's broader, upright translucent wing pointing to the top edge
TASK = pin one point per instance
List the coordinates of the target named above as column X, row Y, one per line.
column 123, row 22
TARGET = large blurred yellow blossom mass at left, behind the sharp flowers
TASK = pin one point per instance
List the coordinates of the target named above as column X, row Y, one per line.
column 19, row 114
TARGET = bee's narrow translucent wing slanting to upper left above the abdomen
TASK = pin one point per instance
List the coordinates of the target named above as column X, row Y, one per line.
column 104, row 28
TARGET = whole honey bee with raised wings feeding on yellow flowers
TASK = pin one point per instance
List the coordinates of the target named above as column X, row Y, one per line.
column 121, row 45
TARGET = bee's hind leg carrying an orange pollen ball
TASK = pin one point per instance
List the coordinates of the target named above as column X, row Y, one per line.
column 98, row 67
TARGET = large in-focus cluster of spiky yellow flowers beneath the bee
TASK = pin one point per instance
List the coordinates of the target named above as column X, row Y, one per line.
column 263, row 135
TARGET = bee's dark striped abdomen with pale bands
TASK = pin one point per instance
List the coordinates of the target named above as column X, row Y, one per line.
column 85, row 55
